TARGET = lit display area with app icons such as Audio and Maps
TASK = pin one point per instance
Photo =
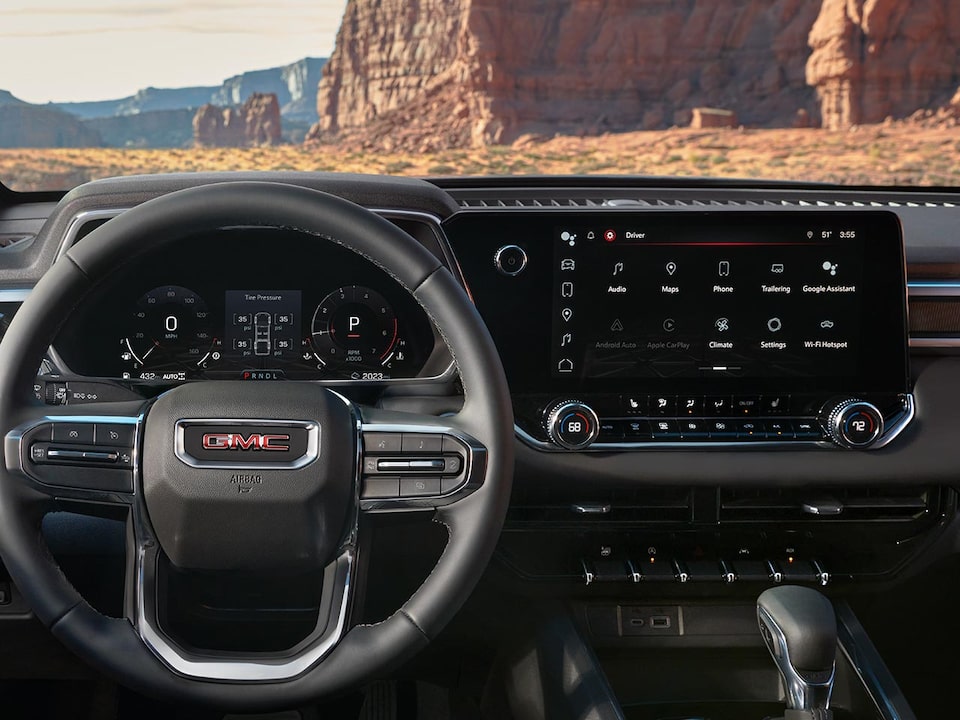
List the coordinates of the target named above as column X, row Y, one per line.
column 687, row 297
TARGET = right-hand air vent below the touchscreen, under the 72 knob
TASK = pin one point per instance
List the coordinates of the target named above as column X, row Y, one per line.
column 833, row 505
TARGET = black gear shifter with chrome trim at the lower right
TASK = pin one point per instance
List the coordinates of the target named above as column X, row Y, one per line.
column 800, row 629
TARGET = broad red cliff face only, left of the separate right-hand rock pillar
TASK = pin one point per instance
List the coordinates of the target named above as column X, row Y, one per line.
column 466, row 72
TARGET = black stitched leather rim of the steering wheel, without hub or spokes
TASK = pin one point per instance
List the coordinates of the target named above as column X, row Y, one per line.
column 473, row 522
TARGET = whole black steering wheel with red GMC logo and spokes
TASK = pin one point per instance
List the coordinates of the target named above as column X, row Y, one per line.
column 235, row 477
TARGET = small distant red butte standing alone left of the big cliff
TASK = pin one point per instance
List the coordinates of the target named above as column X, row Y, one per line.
column 256, row 122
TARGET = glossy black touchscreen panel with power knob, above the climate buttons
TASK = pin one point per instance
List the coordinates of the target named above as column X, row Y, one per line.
column 694, row 301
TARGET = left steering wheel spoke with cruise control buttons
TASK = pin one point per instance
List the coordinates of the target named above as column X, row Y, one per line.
column 88, row 460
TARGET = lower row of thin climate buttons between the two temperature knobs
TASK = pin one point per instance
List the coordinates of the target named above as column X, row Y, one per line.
column 629, row 430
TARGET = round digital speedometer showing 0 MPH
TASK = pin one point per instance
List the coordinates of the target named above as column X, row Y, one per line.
column 171, row 331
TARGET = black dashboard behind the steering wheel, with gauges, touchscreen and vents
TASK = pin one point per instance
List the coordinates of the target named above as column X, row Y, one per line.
column 696, row 367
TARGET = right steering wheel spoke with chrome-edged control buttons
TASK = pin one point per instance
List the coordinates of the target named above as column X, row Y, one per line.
column 412, row 461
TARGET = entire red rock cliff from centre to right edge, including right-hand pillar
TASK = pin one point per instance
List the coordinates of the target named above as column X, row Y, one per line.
column 425, row 74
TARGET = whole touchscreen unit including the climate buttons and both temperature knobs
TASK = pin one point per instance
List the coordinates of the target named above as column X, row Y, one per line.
column 625, row 330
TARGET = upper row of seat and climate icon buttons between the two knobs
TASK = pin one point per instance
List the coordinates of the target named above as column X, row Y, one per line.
column 709, row 405
